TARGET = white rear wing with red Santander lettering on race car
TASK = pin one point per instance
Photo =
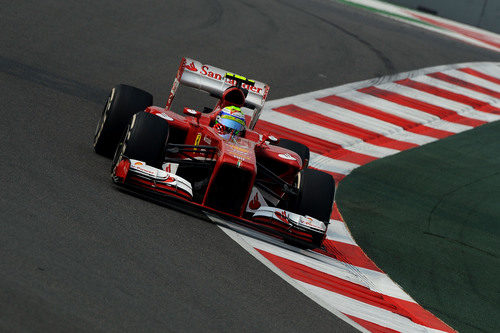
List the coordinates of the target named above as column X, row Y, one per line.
column 213, row 80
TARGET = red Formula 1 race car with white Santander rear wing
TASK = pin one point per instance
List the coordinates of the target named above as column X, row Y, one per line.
column 251, row 178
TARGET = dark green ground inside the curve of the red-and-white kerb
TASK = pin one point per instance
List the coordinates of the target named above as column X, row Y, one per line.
column 430, row 218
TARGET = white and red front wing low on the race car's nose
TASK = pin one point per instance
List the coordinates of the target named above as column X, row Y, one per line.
column 174, row 191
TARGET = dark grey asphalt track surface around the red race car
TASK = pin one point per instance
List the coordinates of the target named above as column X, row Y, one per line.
column 76, row 254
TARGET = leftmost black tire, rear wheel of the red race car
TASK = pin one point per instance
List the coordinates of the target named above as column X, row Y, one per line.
column 123, row 102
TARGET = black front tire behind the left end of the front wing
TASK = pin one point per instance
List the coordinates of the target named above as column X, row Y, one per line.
column 145, row 140
